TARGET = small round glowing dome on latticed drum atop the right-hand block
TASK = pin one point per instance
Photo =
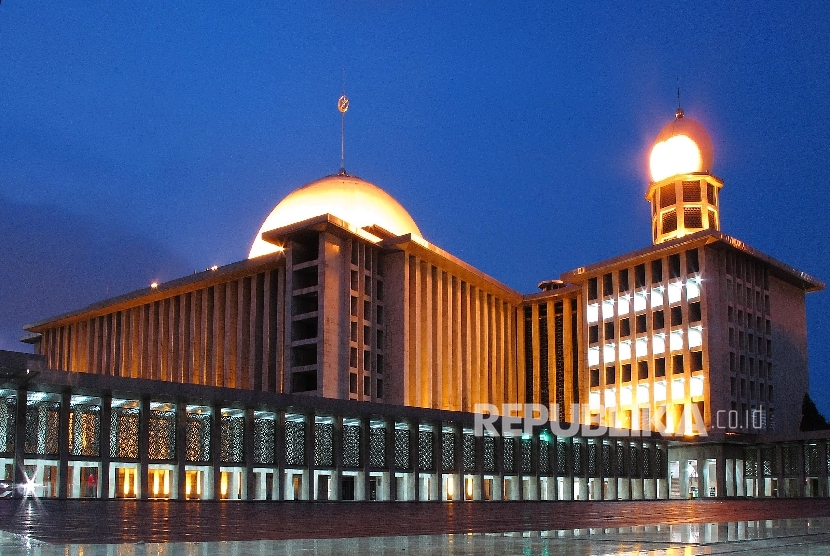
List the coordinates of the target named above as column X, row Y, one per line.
column 683, row 192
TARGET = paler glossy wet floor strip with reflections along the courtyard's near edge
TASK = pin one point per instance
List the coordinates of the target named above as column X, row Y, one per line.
column 795, row 537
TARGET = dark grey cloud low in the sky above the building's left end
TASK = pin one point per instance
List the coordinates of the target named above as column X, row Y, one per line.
column 52, row 261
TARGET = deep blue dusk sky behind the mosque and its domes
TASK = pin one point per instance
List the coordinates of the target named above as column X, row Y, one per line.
column 141, row 141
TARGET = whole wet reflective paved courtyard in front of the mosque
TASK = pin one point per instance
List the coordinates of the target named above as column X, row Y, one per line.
column 97, row 528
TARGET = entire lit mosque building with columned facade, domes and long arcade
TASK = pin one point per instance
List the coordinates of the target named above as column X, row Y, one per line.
column 346, row 357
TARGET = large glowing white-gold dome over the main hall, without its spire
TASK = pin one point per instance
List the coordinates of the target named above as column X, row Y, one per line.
column 349, row 198
